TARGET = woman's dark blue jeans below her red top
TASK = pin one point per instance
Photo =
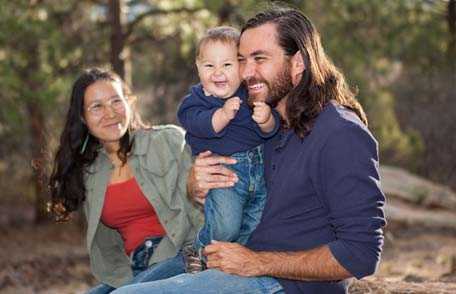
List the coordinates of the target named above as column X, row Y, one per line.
column 140, row 267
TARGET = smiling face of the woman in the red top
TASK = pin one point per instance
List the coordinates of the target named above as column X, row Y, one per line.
column 106, row 112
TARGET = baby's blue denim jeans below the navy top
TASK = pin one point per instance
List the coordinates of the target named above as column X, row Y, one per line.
column 232, row 214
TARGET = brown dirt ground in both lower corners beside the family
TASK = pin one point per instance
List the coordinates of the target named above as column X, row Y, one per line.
column 52, row 258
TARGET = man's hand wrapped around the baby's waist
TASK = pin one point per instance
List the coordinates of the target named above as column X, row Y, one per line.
column 208, row 172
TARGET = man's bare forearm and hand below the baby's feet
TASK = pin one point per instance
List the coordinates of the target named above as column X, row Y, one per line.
column 311, row 265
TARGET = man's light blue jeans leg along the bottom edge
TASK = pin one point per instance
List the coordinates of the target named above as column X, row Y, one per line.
column 207, row 282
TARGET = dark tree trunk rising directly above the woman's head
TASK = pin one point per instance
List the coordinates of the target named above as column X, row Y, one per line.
column 120, row 52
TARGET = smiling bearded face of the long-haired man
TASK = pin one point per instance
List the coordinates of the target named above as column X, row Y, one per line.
column 263, row 65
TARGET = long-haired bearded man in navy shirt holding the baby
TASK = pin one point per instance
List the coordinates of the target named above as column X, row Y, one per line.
column 323, row 219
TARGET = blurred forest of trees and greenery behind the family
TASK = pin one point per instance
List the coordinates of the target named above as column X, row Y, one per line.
column 400, row 54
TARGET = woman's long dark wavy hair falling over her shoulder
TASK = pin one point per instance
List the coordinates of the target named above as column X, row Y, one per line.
column 66, row 183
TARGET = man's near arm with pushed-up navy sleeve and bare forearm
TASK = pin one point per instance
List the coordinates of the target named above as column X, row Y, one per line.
column 351, row 191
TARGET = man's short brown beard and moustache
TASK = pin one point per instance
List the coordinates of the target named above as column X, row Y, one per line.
column 278, row 88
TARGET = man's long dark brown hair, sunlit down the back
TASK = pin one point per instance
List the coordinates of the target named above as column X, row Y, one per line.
column 321, row 81
